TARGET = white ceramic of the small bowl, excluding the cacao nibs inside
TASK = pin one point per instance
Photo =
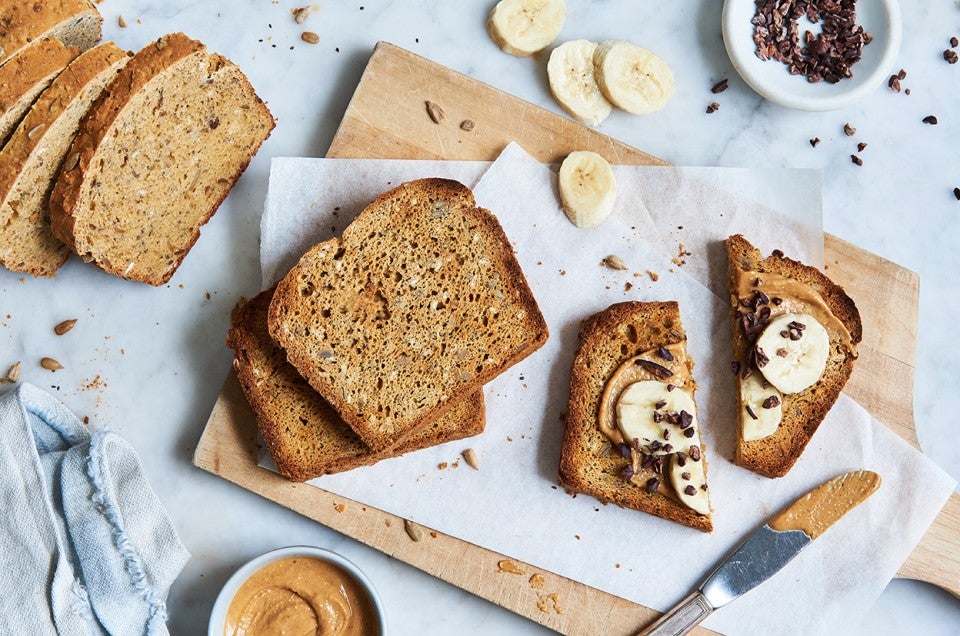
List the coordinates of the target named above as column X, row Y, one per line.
column 772, row 79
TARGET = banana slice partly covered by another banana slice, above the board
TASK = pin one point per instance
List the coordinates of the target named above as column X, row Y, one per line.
column 570, row 72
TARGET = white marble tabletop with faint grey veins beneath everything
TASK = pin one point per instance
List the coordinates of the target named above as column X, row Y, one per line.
column 159, row 353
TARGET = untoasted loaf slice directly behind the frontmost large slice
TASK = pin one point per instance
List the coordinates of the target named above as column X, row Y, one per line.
column 30, row 162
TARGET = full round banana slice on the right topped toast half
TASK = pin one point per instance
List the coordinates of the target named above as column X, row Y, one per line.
column 792, row 352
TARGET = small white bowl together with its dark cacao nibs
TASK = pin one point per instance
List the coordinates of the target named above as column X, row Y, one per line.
column 812, row 54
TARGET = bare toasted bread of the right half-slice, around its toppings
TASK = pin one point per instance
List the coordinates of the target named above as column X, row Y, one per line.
column 803, row 412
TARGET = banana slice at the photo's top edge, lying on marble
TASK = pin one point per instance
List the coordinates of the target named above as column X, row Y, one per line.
column 523, row 27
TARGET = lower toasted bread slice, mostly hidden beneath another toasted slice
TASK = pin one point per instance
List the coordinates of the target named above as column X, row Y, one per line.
column 304, row 434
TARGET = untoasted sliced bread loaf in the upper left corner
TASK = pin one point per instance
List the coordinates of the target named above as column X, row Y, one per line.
column 120, row 159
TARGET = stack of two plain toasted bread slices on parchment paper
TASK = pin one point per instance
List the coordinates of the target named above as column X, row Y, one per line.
column 379, row 342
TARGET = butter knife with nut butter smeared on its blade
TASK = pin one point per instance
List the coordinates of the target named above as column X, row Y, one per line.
column 768, row 549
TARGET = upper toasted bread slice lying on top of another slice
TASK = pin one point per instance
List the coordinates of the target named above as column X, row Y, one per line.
column 420, row 302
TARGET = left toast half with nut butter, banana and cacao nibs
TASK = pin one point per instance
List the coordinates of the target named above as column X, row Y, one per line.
column 626, row 347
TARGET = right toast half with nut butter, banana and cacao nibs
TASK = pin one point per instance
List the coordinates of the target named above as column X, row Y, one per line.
column 775, row 426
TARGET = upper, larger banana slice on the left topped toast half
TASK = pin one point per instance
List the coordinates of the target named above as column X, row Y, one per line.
column 636, row 418
